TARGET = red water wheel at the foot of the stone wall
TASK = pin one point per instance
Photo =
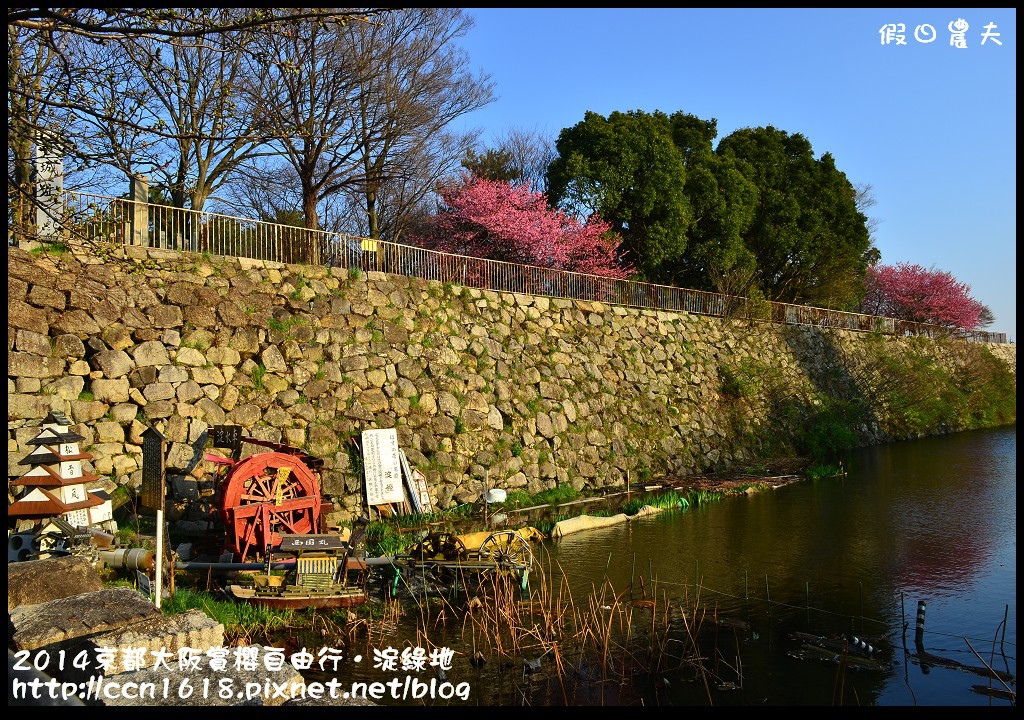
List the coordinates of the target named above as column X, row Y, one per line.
column 266, row 496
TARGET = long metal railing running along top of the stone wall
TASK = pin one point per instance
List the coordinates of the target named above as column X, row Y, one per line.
column 95, row 218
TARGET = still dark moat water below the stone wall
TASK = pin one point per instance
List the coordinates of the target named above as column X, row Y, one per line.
column 931, row 521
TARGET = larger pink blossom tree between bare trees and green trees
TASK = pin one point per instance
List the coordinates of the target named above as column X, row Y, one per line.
column 497, row 221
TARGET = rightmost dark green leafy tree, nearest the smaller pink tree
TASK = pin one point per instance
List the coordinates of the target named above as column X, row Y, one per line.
column 810, row 240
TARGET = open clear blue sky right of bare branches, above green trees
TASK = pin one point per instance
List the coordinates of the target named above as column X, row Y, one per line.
column 930, row 126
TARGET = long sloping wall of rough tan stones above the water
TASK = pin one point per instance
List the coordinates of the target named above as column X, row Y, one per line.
column 525, row 392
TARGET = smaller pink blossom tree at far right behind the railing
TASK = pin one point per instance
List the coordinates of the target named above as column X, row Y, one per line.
column 912, row 292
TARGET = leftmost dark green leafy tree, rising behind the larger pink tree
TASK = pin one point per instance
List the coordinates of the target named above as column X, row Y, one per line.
column 627, row 171
